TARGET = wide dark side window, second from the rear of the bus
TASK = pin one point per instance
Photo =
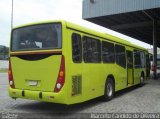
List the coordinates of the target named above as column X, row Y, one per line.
column 92, row 50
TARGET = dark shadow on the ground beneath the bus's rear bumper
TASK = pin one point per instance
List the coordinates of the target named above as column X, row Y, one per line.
column 46, row 107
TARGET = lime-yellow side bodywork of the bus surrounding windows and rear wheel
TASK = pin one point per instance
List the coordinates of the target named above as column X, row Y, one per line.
column 90, row 77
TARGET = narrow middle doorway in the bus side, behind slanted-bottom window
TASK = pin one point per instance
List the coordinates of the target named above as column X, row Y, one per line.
column 130, row 80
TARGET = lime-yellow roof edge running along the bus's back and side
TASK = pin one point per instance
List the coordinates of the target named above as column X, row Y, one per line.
column 88, row 31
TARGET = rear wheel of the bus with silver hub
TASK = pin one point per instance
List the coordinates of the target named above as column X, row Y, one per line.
column 109, row 90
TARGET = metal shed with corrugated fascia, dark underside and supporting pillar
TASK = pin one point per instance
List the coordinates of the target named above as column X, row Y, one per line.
column 139, row 19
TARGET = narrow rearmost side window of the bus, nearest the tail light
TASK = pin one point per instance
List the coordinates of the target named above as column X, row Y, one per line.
column 76, row 48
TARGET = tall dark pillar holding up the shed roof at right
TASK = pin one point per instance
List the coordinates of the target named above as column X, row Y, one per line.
column 155, row 48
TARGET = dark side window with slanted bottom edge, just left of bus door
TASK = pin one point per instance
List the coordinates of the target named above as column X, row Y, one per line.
column 120, row 55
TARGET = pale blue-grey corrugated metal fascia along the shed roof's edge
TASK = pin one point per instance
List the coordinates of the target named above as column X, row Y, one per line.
column 110, row 7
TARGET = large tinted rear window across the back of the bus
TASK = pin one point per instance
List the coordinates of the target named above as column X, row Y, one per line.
column 37, row 37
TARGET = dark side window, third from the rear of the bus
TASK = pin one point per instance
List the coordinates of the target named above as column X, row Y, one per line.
column 108, row 54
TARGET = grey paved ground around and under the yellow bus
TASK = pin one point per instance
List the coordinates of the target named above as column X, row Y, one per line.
column 145, row 99
